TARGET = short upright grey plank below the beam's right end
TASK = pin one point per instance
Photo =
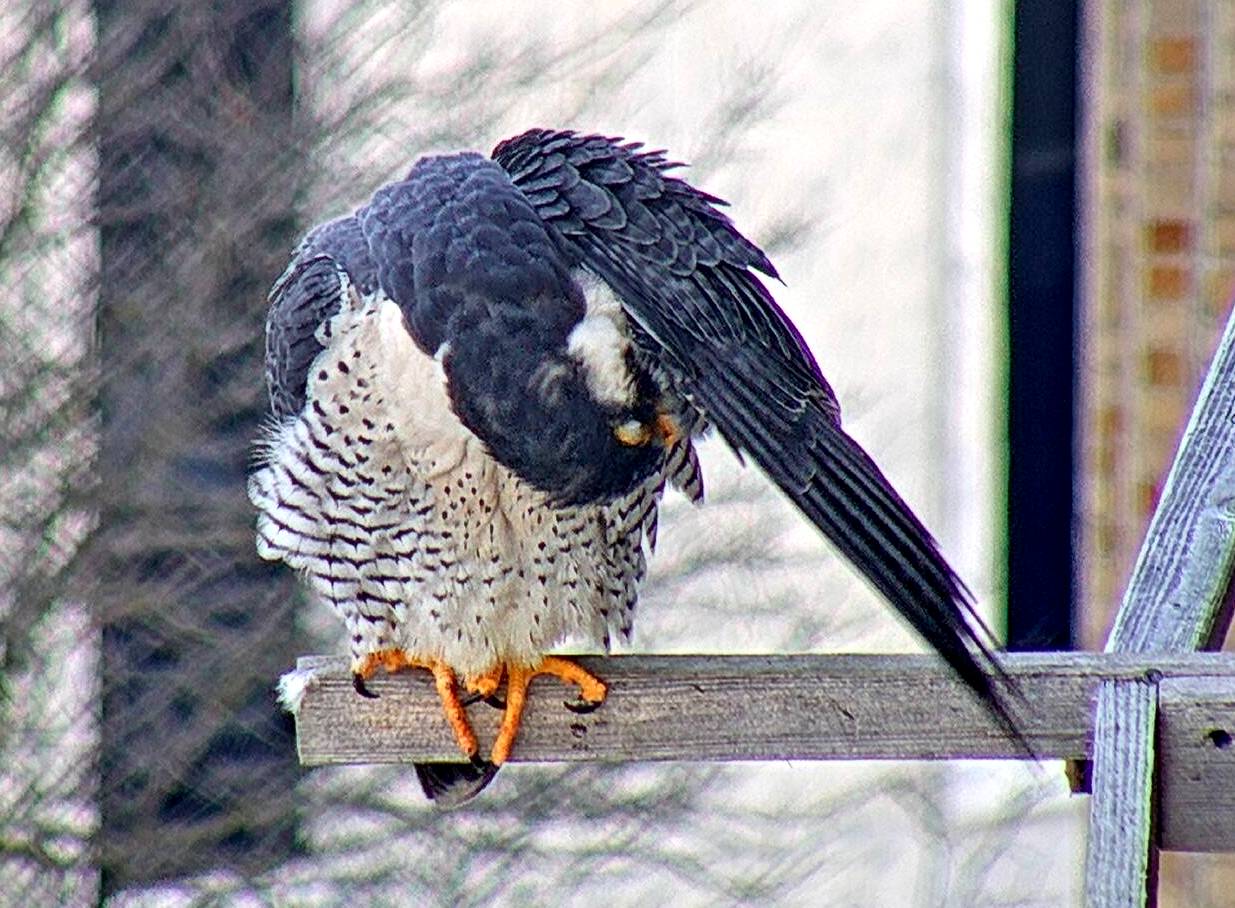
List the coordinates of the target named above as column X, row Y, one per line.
column 1121, row 862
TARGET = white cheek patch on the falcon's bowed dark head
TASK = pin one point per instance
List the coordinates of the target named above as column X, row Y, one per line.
column 601, row 343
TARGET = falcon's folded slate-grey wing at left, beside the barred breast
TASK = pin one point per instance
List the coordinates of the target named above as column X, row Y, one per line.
column 311, row 292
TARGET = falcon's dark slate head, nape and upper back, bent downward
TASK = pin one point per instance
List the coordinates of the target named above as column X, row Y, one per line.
column 481, row 282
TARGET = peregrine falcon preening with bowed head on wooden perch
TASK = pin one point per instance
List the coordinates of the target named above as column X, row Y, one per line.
column 484, row 381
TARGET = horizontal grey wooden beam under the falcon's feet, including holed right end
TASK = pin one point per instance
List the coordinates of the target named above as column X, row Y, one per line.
column 807, row 708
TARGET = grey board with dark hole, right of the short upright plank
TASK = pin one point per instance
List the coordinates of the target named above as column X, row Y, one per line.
column 1197, row 760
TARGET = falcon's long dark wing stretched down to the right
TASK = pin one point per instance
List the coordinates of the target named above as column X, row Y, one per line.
column 686, row 276
